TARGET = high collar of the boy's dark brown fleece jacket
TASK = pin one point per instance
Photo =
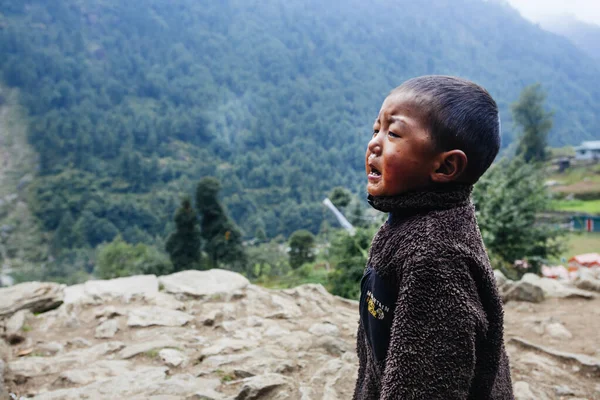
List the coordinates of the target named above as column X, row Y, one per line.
column 430, row 199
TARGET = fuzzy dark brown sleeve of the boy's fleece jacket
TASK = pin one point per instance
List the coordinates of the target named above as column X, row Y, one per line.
column 432, row 344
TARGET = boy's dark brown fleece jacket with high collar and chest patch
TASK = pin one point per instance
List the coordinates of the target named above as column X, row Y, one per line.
column 431, row 324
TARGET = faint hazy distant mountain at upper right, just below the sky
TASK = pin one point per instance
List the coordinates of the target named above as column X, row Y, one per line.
column 584, row 35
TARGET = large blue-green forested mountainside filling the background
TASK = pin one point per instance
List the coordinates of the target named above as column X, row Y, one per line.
column 131, row 102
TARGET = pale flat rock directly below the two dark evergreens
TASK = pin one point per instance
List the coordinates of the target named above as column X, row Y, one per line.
column 215, row 282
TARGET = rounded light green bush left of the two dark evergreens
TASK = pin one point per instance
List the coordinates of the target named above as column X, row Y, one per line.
column 119, row 258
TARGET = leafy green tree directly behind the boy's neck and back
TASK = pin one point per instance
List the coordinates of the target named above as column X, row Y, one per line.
column 509, row 199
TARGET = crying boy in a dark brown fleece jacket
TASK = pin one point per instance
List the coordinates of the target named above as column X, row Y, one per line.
column 431, row 319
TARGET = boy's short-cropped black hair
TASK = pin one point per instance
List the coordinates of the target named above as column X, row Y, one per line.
column 461, row 115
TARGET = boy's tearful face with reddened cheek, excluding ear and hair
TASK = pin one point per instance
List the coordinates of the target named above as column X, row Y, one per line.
column 400, row 156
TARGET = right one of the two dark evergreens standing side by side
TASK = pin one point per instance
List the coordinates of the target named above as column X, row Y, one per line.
column 223, row 239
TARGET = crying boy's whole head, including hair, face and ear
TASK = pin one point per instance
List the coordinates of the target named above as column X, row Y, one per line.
column 432, row 130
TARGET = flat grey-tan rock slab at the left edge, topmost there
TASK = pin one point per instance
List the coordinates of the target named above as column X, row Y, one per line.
column 33, row 296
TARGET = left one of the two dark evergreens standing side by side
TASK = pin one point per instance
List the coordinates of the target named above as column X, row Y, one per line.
column 183, row 245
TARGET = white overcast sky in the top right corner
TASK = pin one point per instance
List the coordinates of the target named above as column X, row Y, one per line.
column 585, row 10
